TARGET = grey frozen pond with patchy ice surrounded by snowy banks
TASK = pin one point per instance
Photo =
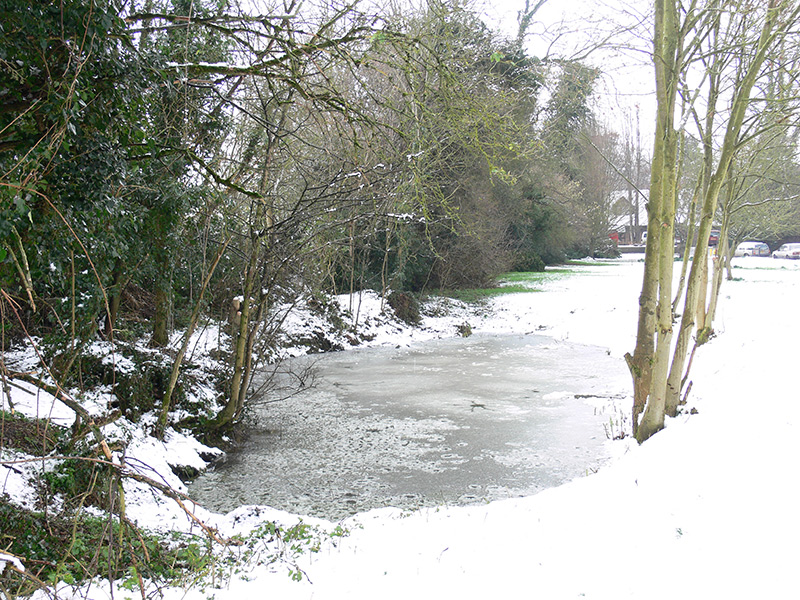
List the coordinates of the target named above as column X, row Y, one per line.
column 455, row 421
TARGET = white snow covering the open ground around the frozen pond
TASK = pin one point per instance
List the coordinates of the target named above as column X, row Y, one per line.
column 708, row 508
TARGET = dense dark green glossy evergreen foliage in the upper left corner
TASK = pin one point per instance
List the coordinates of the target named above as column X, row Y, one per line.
column 74, row 87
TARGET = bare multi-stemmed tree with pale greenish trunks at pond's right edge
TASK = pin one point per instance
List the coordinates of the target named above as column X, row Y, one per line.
column 685, row 35
